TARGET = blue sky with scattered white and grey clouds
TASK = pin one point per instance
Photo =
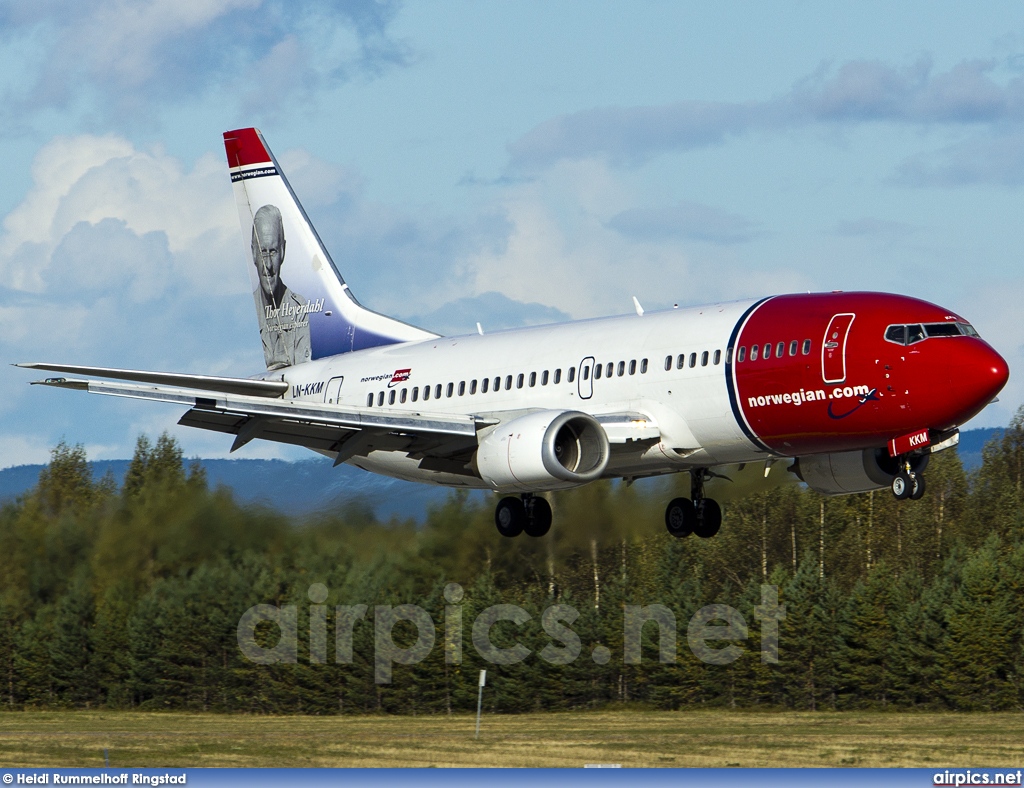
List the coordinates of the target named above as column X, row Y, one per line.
column 568, row 156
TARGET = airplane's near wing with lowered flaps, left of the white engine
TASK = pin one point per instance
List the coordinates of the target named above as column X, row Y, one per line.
column 440, row 442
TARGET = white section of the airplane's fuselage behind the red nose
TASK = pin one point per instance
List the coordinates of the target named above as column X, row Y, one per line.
column 690, row 406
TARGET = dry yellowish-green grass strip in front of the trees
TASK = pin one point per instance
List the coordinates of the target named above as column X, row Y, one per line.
column 634, row 738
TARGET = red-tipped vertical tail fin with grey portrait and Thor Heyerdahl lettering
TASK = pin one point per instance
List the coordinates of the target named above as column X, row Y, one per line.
column 305, row 308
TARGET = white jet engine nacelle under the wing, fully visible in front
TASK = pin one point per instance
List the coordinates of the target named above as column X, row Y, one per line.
column 544, row 451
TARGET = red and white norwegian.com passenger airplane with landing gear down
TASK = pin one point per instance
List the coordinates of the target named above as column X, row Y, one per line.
column 846, row 391
